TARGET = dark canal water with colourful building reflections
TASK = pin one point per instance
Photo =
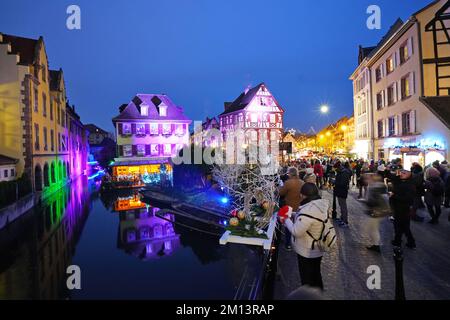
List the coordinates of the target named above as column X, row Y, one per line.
column 124, row 248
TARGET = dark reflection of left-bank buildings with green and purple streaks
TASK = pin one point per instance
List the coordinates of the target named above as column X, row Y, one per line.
column 36, row 249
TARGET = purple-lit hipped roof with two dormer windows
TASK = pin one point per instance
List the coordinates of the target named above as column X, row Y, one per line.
column 153, row 101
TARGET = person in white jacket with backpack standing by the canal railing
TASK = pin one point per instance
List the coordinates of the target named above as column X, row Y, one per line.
column 305, row 227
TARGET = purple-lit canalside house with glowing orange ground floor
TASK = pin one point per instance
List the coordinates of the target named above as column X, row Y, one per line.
column 150, row 130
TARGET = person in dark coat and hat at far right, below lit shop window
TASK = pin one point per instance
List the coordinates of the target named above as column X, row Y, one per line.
column 434, row 193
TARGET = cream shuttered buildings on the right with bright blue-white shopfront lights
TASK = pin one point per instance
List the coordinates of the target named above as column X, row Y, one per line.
column 401, row 75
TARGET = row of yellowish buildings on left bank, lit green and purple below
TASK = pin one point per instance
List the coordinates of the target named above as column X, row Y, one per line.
column 35, row 126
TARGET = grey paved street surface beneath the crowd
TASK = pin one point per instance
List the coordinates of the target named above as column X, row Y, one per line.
column 344, row 271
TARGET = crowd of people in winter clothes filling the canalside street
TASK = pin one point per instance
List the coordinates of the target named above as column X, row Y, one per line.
column 387, row 189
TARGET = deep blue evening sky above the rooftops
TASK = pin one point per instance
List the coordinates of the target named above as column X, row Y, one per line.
column 204, row 52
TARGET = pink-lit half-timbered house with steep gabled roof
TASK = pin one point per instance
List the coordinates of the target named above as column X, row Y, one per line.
column 257, row 113
